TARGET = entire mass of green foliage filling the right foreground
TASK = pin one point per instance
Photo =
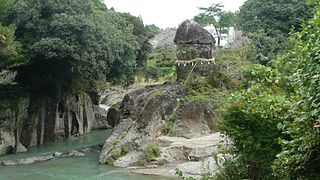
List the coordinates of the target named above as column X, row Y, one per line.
column 279, row 102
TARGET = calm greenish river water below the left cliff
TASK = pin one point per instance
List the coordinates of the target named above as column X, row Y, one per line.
column 69, row 168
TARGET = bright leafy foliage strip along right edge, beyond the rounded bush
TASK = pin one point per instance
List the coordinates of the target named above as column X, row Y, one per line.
column 299, row 158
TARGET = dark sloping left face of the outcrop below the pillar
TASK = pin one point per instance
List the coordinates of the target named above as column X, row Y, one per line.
column 143, row 113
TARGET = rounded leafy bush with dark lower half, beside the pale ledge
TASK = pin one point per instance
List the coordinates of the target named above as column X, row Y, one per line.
column 251, row 118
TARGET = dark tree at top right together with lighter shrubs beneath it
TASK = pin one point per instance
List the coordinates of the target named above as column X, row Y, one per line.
column 268, row 24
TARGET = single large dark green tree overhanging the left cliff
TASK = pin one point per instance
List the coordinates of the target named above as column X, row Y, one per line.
column 70, row 43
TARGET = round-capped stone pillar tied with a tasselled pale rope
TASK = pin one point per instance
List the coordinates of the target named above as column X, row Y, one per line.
column 193, row 42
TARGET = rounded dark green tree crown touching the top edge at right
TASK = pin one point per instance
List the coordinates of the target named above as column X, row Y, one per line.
column 273, row 15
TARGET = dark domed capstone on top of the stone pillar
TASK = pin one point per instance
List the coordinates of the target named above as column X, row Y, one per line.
column 190, row 32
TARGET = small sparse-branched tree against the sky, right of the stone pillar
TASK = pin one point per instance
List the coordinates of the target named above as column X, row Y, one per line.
column 214, row 15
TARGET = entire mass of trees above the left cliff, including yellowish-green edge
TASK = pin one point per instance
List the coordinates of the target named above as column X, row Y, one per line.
column 70, row 44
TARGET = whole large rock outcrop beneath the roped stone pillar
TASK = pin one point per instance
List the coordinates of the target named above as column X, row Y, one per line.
column 147, row 117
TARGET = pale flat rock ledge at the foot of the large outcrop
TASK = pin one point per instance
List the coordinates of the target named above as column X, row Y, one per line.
column 192, row 156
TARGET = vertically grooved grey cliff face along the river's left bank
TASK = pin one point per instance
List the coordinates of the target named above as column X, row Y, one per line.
column 36, row 121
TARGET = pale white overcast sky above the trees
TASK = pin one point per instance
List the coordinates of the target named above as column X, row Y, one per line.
column 168, row 13
